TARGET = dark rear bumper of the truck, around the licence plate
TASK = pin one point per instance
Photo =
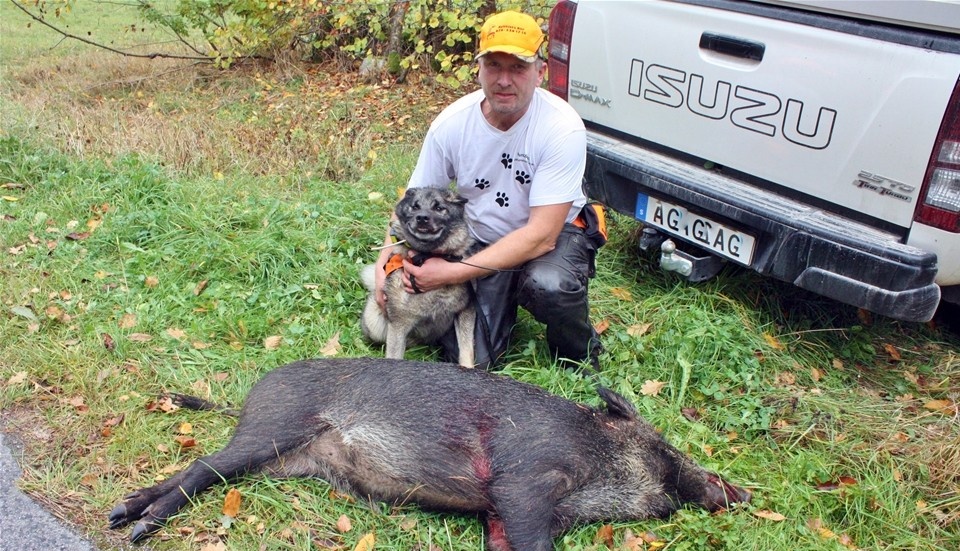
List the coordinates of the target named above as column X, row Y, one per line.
column 816, row 250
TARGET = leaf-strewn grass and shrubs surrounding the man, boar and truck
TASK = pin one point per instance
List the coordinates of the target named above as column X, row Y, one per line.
column 171, row 224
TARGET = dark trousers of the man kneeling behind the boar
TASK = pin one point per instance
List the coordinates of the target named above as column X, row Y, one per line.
column 553, row 288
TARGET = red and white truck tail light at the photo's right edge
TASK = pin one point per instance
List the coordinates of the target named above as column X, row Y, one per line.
column 940, row 206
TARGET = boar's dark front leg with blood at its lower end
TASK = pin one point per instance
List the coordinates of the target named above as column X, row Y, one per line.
column 525, row 505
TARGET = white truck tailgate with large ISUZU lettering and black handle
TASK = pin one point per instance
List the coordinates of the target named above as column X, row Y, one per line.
column 769, row 98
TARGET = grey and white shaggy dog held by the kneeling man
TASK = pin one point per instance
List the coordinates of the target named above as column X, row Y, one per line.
column 429, row 222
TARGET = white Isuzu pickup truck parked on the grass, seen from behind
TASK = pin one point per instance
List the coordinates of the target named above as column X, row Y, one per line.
column 816, row 142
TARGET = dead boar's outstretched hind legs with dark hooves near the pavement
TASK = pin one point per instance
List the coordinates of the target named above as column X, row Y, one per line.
column 151, row 507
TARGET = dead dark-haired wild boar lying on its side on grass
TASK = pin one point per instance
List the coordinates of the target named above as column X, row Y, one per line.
column 529, row 463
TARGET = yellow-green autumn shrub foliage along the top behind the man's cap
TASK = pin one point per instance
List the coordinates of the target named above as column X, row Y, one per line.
column 393, row 36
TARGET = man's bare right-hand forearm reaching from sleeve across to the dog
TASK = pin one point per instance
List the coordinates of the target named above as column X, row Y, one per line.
column 536, row 238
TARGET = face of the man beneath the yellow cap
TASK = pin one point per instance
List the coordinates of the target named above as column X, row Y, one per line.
column 508, row 84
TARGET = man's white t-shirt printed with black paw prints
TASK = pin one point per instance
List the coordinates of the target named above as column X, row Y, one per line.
column 539, row 161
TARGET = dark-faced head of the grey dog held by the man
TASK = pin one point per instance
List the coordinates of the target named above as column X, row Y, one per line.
column 427, row 217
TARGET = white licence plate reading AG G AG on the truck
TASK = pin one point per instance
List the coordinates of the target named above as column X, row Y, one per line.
column 705, row 233
